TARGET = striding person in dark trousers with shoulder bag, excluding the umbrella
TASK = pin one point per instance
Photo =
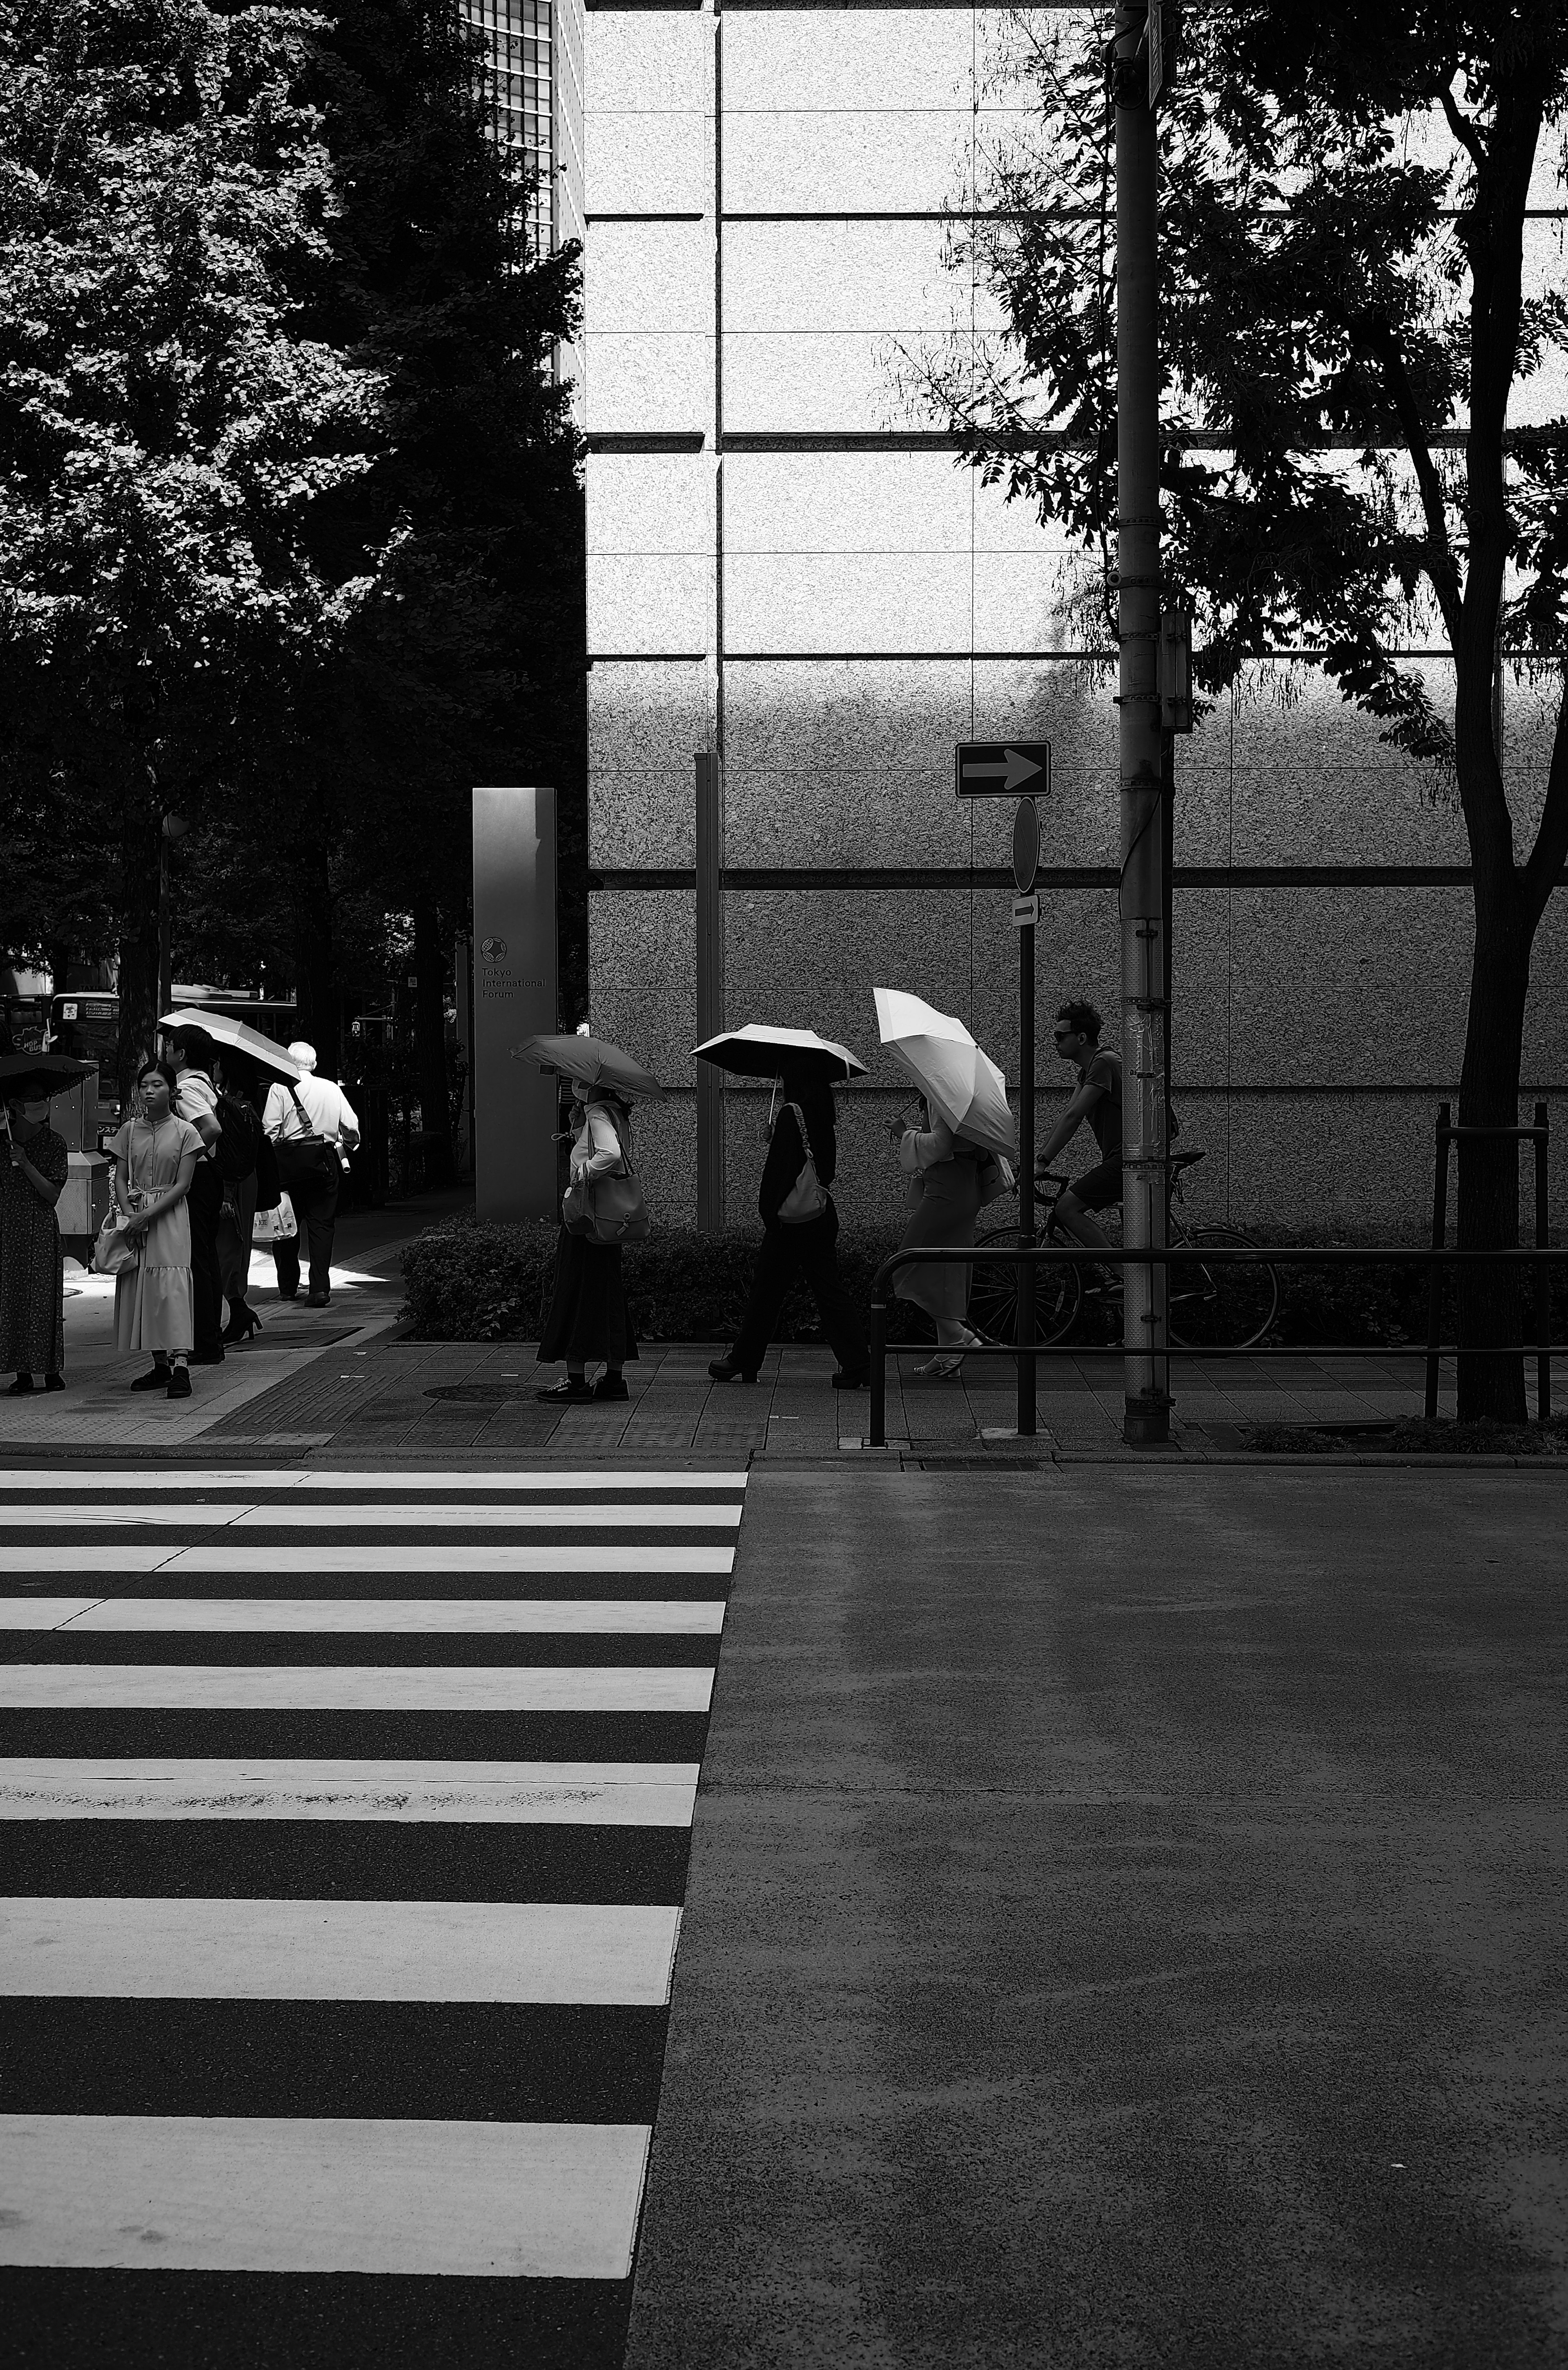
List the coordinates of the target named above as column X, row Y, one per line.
column 799, row 1236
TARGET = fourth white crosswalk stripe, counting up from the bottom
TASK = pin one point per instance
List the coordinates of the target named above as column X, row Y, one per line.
column 188, row 1686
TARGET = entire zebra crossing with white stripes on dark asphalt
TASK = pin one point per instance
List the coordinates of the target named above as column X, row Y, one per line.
column 345, row 1821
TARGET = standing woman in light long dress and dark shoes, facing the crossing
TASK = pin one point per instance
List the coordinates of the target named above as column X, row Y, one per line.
column 155, row 1158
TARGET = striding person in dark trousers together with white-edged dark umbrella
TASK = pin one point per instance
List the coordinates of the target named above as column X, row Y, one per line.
column 795, row 1203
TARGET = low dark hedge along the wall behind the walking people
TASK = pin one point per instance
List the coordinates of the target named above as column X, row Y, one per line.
column 491, row 1283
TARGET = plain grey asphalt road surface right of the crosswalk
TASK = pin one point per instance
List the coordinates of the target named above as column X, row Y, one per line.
column 1126, row 1928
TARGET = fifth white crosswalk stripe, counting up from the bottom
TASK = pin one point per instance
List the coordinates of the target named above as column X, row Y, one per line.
column 439, row 1618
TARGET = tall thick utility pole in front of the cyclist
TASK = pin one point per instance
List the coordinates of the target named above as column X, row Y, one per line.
column 1143, row 802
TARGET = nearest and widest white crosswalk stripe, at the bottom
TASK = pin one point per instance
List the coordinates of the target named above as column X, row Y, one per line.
column 262, row 2193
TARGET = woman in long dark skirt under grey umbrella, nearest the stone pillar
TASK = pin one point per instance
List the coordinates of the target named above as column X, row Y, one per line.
column 589, row 1317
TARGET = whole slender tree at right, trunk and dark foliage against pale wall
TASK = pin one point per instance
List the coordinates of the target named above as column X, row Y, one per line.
column 1347, row 340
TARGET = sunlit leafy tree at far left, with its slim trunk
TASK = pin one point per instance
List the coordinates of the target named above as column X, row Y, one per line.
column 167, row 421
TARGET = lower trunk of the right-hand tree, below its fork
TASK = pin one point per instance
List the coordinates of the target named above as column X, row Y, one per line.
column 1489, row 1167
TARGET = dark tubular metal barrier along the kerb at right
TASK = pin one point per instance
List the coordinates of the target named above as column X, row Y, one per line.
column 1230, row 1257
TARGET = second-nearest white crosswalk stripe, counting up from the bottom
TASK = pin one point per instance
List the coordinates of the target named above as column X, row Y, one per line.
column 529, row 1954
